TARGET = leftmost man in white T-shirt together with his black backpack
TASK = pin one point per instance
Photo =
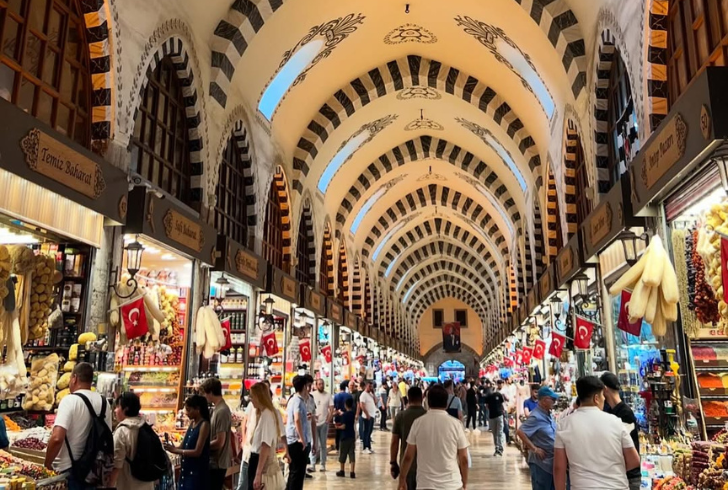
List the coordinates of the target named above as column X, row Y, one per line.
column 81, row 443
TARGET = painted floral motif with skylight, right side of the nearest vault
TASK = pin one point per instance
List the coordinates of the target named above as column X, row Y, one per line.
column 488, row 36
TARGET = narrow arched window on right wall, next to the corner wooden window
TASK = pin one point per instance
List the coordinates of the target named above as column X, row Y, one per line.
column 620, row 115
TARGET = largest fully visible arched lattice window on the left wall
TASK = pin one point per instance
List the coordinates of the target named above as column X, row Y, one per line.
column 160, row 149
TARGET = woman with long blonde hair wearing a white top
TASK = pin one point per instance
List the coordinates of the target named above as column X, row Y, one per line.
column 263, row 469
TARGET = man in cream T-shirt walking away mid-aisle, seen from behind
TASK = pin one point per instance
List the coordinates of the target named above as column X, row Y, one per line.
column 439, row 443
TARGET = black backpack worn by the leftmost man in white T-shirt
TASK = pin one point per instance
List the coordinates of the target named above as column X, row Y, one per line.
column 97, row 459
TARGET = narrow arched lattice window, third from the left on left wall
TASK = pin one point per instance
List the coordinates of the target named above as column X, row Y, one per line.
column 231, row 208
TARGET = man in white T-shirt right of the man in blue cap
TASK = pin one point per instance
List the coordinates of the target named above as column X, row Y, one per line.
column 594, row 445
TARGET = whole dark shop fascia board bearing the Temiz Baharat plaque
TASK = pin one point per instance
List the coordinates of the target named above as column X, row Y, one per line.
column 42, row 155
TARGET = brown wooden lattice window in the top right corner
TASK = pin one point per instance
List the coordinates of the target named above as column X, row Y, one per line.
column 696, row 31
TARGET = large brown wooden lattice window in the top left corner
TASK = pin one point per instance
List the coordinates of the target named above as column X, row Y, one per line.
column 44, row 63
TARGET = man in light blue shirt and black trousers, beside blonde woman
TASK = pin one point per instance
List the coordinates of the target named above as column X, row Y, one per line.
column 298, row 434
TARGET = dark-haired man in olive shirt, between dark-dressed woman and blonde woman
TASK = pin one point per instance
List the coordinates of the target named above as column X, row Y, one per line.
column 220, row 427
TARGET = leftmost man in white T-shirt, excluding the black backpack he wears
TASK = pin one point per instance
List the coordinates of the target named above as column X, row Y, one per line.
column 73, row 423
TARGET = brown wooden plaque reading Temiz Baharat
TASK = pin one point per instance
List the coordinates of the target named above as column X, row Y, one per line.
column 51, row 158
